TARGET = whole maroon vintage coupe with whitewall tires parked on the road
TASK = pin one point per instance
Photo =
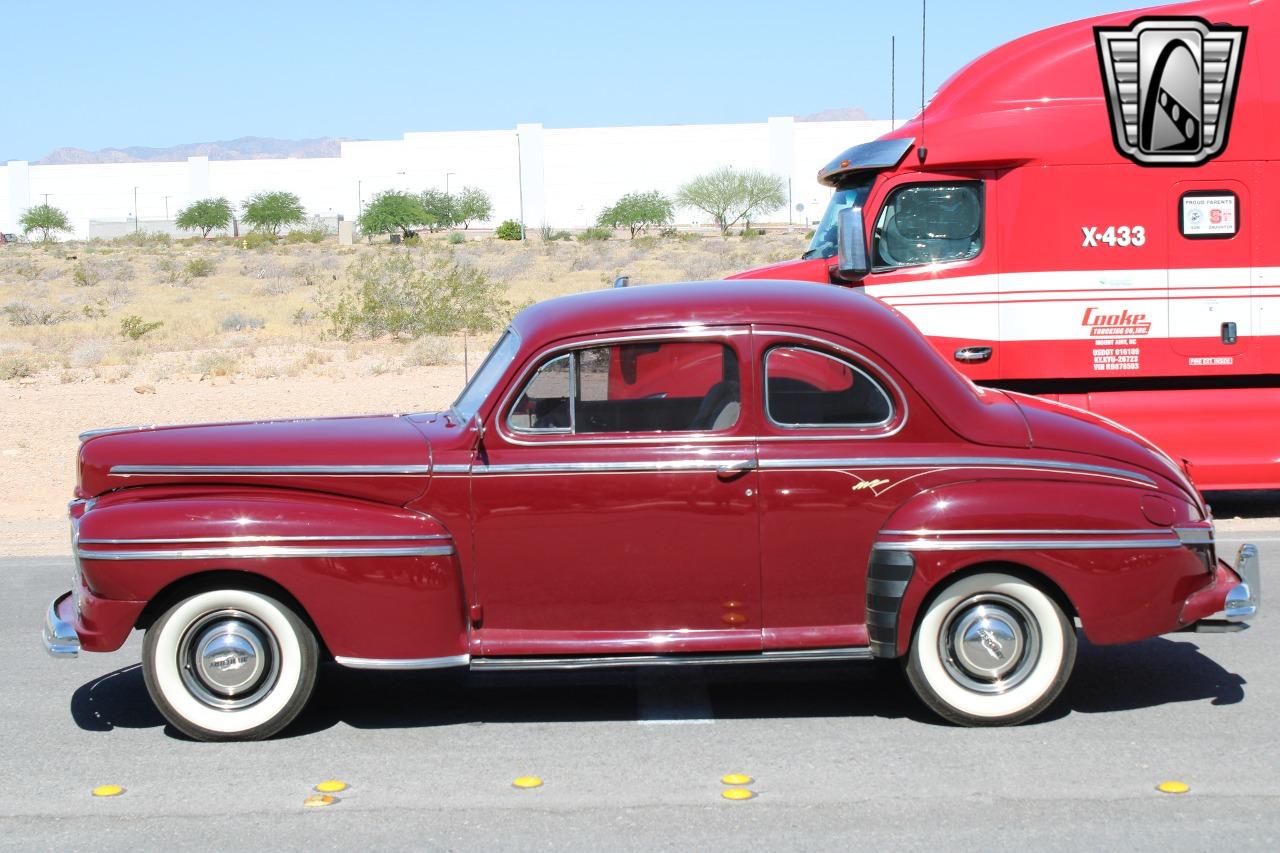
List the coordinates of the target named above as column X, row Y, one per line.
column 715, row 473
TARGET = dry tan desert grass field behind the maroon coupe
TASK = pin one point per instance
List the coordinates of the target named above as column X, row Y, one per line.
column 231, row 312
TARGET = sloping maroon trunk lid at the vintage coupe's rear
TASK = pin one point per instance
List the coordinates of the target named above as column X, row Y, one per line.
column 1054, row 426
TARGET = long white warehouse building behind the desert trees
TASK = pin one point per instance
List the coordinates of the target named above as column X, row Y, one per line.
column 561, row 177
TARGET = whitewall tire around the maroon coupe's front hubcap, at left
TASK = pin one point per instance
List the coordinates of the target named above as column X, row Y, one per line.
column 289, row 654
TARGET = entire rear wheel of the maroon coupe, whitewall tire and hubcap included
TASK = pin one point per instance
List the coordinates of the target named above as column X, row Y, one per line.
column 991, row 650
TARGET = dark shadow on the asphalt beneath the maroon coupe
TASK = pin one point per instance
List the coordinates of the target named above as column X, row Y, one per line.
column 1107, row 679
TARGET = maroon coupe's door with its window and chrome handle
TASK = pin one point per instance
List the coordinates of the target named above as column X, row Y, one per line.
column 615, row 501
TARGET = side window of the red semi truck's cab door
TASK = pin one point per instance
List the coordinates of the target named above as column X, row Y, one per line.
column 930, row 223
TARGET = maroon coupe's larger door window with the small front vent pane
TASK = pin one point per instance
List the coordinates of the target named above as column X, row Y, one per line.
column 634, row 387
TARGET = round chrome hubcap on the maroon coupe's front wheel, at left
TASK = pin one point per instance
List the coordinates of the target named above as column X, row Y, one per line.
column 230, row 660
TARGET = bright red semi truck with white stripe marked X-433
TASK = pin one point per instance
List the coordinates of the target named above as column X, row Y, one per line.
column 1090, row 213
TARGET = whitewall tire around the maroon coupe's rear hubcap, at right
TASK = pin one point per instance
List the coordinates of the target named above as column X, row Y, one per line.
column 1048, row 647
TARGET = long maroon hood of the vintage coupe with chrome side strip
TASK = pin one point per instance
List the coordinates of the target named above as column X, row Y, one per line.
column 383, row 458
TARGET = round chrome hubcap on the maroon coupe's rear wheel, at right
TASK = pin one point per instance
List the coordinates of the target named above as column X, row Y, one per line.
column 990, row 644
